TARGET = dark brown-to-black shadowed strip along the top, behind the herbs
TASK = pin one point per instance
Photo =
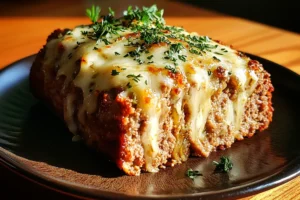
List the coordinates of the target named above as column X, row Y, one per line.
column 281, row 14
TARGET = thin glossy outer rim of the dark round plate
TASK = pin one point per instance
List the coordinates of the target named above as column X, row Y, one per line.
column 292, row 168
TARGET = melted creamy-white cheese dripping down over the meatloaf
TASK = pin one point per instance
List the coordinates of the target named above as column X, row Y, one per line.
column 193, row 78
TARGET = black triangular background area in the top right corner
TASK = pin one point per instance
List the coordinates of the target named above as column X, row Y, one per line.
column 283, row 14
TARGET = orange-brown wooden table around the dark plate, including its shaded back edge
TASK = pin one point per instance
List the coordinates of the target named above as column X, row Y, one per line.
column 24, row 32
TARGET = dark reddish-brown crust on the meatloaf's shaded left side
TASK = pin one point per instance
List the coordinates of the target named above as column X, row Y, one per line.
column 107, row 130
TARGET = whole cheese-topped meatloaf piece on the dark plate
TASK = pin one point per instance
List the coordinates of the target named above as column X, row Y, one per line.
column 150, row 104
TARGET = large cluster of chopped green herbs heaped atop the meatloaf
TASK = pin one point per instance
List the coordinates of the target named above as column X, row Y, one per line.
column 150, row 29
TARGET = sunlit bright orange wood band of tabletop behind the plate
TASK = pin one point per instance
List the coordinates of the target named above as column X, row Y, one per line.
column 274, row 44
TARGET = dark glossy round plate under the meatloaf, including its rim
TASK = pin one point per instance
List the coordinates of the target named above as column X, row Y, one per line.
column 34, row 142
